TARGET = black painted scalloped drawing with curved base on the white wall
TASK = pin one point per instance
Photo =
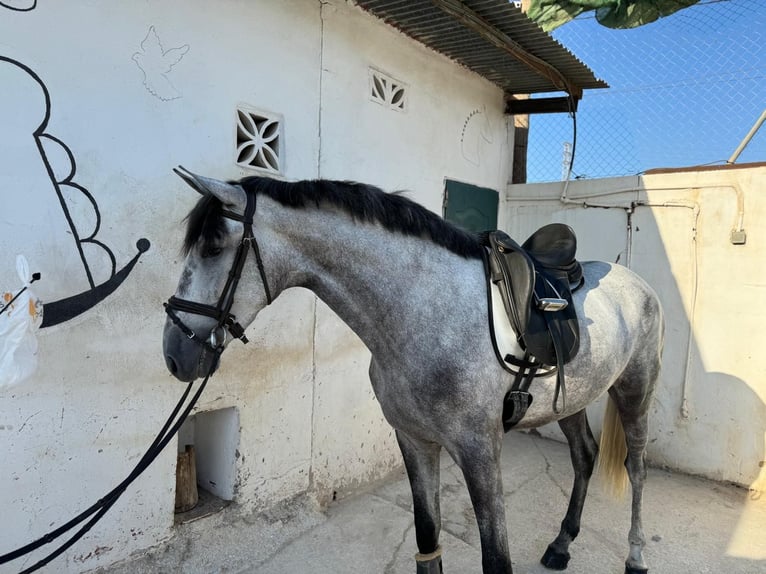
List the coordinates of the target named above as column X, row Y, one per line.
column 51, row 219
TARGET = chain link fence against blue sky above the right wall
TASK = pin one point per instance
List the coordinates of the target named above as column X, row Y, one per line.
column 684, row 90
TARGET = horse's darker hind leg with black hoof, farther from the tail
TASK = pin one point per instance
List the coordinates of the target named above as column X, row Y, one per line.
column 583, row 450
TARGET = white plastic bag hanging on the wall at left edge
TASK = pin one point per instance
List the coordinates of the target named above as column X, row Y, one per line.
column 21, row 314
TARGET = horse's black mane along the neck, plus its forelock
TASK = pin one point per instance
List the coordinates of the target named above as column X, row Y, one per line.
column 362, row 202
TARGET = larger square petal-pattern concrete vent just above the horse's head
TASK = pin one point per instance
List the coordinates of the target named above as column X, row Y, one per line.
column 259, row 140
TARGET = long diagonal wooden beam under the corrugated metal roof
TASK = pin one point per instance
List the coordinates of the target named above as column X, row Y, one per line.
column 472, row 20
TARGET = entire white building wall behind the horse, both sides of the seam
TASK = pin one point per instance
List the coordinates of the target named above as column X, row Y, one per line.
column 308, row 420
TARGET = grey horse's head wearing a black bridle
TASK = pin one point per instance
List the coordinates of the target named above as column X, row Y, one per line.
column 223, row 284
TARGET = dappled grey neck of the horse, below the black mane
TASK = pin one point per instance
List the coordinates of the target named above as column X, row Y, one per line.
column 386, row 286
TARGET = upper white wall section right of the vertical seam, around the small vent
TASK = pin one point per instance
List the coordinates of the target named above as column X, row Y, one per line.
column 453, row 127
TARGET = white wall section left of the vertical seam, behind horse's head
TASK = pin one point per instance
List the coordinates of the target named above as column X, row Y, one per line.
column 102, row 391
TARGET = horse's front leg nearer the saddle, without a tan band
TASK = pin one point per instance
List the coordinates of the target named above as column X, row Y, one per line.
column 478, row 456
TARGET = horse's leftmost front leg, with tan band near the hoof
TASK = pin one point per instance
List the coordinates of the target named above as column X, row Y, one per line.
column 421, row 459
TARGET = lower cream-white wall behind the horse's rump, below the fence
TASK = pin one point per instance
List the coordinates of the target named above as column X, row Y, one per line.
column 709, row 416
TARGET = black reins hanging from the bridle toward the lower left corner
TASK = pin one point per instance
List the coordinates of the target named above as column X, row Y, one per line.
column 103, row 505
